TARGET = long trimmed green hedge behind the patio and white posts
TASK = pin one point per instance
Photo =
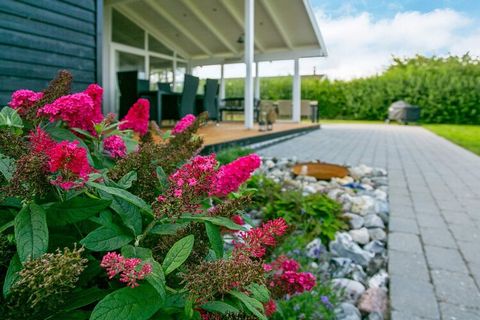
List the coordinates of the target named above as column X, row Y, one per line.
column 446, row 89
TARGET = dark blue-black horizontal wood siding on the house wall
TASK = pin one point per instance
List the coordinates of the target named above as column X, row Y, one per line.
column 40, row 37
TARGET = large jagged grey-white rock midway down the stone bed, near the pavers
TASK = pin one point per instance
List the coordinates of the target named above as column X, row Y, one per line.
column 343, row 246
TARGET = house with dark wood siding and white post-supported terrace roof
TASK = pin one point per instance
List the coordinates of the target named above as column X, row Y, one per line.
column 162, row 39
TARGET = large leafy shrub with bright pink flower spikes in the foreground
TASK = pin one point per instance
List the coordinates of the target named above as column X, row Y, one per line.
column 99, row 222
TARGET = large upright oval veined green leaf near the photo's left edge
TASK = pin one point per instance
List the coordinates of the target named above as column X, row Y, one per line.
column 31, row 232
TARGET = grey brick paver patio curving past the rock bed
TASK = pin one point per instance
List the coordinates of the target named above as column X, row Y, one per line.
column 434, row 189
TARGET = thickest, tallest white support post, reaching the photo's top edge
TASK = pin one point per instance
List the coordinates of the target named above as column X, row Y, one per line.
column 249, row 52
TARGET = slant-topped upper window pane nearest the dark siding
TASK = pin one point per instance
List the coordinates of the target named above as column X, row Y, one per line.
column 124, row 31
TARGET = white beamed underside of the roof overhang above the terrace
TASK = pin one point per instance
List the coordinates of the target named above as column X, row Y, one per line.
column 208, row 31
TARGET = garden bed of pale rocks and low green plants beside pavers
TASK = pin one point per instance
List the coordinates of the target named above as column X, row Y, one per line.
column 351, row 262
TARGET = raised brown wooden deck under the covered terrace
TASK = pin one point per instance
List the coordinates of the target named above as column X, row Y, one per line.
column 234, row 133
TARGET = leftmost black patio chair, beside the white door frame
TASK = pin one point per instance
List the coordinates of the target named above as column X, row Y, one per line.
column 130, row 90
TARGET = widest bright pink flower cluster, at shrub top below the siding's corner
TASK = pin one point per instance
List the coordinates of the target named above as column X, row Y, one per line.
column 79, row 110
